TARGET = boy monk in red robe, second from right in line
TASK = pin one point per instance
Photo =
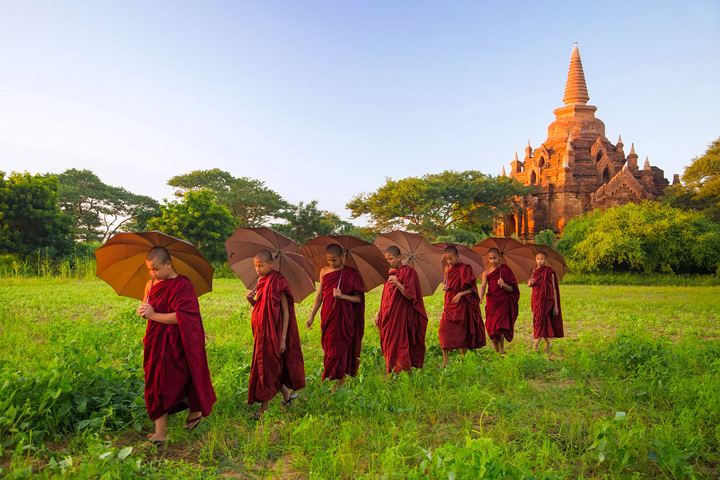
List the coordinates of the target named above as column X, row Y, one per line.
column 501, row 307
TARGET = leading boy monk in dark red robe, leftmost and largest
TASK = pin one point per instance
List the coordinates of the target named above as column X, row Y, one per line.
column 176, row 370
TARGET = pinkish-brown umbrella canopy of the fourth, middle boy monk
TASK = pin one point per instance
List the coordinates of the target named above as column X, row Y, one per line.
column 419, row 254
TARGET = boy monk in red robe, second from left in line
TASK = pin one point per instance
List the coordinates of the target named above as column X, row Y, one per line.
column 277, row 356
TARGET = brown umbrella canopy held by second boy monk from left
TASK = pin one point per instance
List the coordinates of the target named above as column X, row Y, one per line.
column 288, row 259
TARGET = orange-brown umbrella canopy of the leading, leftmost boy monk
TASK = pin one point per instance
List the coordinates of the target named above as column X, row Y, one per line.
column 121, row 262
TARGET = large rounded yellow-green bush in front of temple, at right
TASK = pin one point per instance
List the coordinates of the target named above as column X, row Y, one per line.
column 646, row 237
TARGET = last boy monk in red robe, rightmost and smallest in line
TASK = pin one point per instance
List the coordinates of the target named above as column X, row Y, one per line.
column 545, row 303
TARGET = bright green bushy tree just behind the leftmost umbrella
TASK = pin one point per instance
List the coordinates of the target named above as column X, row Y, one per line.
column 200, row 221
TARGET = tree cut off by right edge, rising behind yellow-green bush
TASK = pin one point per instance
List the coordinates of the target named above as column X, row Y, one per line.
column 700, row 187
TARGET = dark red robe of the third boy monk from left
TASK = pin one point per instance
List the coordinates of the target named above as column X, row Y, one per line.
column 342, row 324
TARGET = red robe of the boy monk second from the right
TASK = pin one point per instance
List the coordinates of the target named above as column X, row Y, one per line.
column 501, row 306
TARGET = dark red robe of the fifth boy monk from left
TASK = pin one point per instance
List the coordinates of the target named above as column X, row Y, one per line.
column 461, row 324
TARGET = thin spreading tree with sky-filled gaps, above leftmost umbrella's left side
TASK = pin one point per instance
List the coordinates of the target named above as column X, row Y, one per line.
column 100, row 210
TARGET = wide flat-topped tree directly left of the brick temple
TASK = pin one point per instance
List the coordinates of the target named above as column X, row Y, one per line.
column 434, row 203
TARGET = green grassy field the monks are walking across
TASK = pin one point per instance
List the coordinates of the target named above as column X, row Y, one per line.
column 632, row 392
